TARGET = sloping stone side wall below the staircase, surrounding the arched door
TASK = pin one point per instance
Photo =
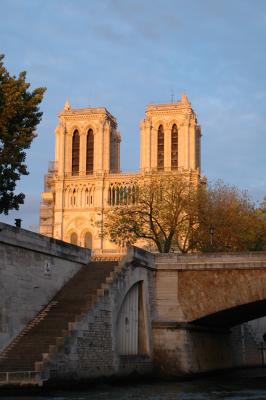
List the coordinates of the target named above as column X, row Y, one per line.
column 91, row 349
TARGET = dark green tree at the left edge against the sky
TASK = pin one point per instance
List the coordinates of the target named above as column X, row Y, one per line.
column 19, row 116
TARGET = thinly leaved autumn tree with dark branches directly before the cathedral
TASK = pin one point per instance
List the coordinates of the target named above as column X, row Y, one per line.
column 164, row 214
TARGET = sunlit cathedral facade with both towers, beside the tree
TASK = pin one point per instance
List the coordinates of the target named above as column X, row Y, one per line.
column 85, row 179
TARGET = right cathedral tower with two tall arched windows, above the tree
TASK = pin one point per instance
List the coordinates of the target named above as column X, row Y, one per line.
column 170, row 137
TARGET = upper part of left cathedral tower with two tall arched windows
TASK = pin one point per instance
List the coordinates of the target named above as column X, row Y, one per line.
column 87, row 142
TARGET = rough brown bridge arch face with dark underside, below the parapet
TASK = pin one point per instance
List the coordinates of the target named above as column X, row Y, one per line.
column 223, row 297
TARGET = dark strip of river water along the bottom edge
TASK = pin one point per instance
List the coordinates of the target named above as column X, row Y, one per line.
column 228, row 387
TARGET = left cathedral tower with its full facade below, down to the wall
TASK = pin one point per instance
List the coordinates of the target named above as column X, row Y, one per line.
column 87, row 148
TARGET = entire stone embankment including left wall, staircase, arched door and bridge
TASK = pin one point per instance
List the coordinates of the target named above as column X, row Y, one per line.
column 65, row 316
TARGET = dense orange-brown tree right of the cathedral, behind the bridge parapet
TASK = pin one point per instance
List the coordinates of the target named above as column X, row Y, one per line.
column 230, row 217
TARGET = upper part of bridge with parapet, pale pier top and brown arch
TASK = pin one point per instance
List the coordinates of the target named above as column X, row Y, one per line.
column 219, row 290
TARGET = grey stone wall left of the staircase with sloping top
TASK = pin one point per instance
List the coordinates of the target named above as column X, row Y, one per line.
column 32, row 269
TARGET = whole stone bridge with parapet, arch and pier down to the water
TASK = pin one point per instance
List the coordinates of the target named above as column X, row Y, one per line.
column 200, row 304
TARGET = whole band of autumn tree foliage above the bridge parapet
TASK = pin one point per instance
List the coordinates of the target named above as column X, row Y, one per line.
column 173, row 212
